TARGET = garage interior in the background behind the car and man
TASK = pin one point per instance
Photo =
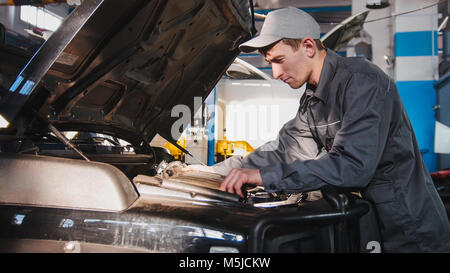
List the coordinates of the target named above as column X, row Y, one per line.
column 408, row 39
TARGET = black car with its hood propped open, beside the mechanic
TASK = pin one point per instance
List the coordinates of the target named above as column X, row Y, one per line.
column 112, row 73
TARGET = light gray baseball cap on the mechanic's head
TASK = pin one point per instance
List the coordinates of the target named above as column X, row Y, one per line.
column 291, row 23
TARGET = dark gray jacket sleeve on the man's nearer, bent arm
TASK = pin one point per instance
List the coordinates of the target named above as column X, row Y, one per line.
column 357, row 148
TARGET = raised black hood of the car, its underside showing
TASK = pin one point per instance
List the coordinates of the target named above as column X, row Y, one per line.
column 127, row 65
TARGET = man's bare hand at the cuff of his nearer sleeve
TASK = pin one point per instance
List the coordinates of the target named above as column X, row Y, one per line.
column 239, row 177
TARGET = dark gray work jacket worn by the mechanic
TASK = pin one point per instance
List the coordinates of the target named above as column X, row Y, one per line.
column 353, row 131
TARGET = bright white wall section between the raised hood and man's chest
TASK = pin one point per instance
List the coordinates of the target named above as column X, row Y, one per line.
column 254, row 110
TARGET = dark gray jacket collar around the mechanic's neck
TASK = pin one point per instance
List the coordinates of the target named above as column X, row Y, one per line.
column 326, row 75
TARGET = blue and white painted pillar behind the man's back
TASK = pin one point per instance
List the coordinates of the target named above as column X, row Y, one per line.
column 416, row 70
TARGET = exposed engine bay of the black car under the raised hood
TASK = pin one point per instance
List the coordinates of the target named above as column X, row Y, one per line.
column 153, row 174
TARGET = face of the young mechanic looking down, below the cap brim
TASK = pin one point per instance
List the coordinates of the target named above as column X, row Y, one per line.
column 292, row 67
